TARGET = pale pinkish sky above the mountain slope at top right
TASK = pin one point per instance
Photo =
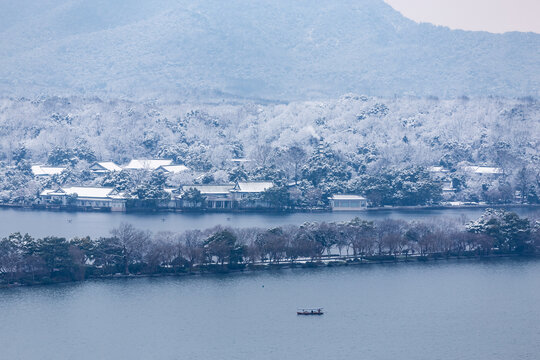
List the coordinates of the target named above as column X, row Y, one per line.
column 488, row 15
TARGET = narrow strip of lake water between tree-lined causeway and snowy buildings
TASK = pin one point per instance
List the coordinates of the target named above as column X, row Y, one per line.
column 94, row 224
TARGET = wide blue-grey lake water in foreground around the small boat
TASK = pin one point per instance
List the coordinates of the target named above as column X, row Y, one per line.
column 469, row 309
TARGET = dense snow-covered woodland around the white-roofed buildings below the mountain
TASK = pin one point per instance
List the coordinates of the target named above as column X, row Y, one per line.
column 355, row 144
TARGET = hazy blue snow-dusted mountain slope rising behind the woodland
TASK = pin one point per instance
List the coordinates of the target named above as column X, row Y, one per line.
column 276, row 50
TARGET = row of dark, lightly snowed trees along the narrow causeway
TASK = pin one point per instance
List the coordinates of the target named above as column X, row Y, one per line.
column 27, row 260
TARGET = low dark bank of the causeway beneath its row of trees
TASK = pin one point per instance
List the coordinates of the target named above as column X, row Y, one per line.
column 286, row 265
